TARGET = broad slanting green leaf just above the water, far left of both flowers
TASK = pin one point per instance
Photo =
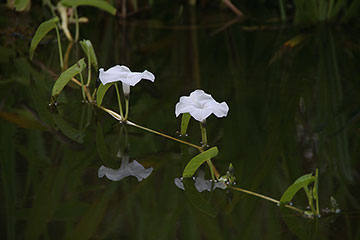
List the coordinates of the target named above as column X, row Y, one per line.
column 66, row 76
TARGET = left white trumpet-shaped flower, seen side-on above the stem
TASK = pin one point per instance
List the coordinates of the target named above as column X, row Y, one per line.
column 123, row 74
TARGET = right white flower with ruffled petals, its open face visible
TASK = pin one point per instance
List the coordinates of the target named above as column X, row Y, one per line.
column 201, row 105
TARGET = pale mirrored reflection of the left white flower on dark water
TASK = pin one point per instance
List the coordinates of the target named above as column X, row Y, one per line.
column 127, row 169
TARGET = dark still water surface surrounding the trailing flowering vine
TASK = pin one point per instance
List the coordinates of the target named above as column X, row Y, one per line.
column 294, row 107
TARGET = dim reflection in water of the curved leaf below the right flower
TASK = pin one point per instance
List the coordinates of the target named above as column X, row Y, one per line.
column 197, row 199
